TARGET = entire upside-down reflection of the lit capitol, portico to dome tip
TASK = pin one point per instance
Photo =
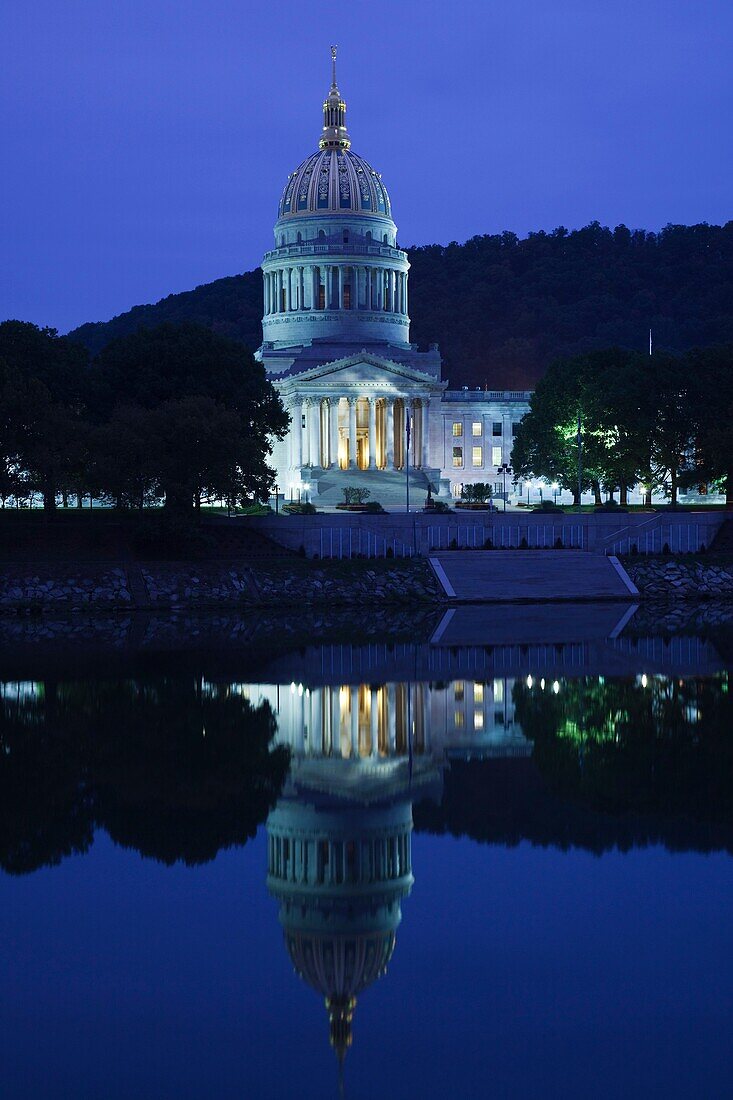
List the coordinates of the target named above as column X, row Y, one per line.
column 340, row 839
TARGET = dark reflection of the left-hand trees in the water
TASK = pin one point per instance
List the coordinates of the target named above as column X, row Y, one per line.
column 166, row 768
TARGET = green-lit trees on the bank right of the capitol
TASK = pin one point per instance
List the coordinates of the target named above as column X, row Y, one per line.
column 662, row 421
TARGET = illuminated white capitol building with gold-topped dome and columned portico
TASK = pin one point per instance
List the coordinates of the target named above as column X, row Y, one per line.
column 368, row 409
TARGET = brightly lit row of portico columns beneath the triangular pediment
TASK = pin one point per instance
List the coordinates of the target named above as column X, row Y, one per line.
column 359, row 433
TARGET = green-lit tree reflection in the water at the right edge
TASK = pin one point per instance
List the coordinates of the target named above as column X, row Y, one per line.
column 660, row 747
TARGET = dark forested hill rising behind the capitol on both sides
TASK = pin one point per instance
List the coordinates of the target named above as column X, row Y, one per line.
column 502, row 309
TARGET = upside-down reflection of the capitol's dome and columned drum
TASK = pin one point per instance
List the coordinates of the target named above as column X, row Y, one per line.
column 341, row 874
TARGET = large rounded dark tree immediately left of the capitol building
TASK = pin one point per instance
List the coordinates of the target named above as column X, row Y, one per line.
column 213, row 412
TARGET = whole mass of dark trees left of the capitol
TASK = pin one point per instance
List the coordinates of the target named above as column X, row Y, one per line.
column 172, row 413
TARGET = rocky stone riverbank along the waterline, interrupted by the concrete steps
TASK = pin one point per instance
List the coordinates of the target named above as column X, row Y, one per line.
column 288, row 582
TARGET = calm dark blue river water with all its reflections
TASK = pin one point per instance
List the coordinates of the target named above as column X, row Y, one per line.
column 487, row 855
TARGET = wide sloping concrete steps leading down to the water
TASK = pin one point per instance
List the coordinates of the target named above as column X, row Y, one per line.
column 511, row 576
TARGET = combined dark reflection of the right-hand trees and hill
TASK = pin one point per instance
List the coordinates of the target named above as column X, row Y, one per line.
column 616, row 764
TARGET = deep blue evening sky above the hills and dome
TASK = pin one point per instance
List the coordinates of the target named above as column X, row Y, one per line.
column 146, row 145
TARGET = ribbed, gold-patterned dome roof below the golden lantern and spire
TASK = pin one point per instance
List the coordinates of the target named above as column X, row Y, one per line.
column 335, row 181
